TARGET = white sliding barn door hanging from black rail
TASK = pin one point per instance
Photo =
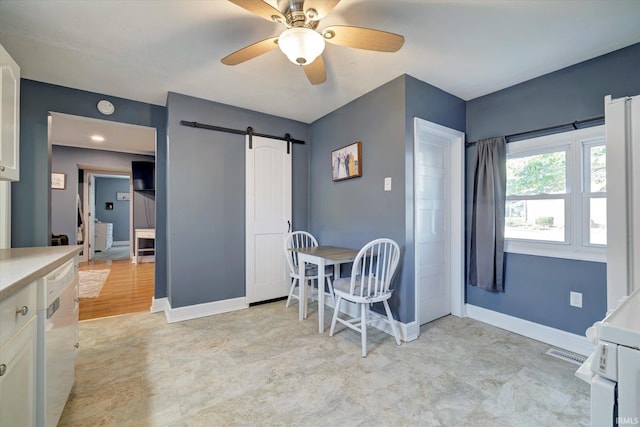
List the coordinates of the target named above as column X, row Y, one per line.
column 268, row 207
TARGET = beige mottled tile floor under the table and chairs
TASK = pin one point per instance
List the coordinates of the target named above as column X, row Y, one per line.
column 261, row 366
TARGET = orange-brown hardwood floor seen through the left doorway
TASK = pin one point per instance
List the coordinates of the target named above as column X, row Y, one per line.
column 128, row 289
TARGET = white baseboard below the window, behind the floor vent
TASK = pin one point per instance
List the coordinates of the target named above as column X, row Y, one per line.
column 555, row 337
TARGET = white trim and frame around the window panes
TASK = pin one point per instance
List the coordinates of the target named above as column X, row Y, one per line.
column 577, row 246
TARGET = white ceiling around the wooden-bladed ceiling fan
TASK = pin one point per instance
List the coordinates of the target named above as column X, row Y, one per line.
column 141, row 49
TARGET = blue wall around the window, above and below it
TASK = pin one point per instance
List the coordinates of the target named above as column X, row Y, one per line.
column 537, row 288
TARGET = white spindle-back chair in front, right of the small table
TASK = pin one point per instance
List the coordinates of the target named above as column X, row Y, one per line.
column 371, row 275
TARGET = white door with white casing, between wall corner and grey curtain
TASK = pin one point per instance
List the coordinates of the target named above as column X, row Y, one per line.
column 438, row 202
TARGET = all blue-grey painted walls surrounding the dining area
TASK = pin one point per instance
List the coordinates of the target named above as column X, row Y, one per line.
column 204, row 172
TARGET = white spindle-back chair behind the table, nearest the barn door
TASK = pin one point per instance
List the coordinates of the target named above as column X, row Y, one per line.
column 303, row 239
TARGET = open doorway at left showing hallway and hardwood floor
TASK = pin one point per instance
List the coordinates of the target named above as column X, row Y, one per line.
column 97, row 207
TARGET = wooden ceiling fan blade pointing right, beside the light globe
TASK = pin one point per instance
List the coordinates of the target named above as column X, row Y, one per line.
column 363, row 38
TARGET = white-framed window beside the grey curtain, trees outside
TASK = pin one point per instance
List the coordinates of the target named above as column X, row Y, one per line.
column 556, row 195
